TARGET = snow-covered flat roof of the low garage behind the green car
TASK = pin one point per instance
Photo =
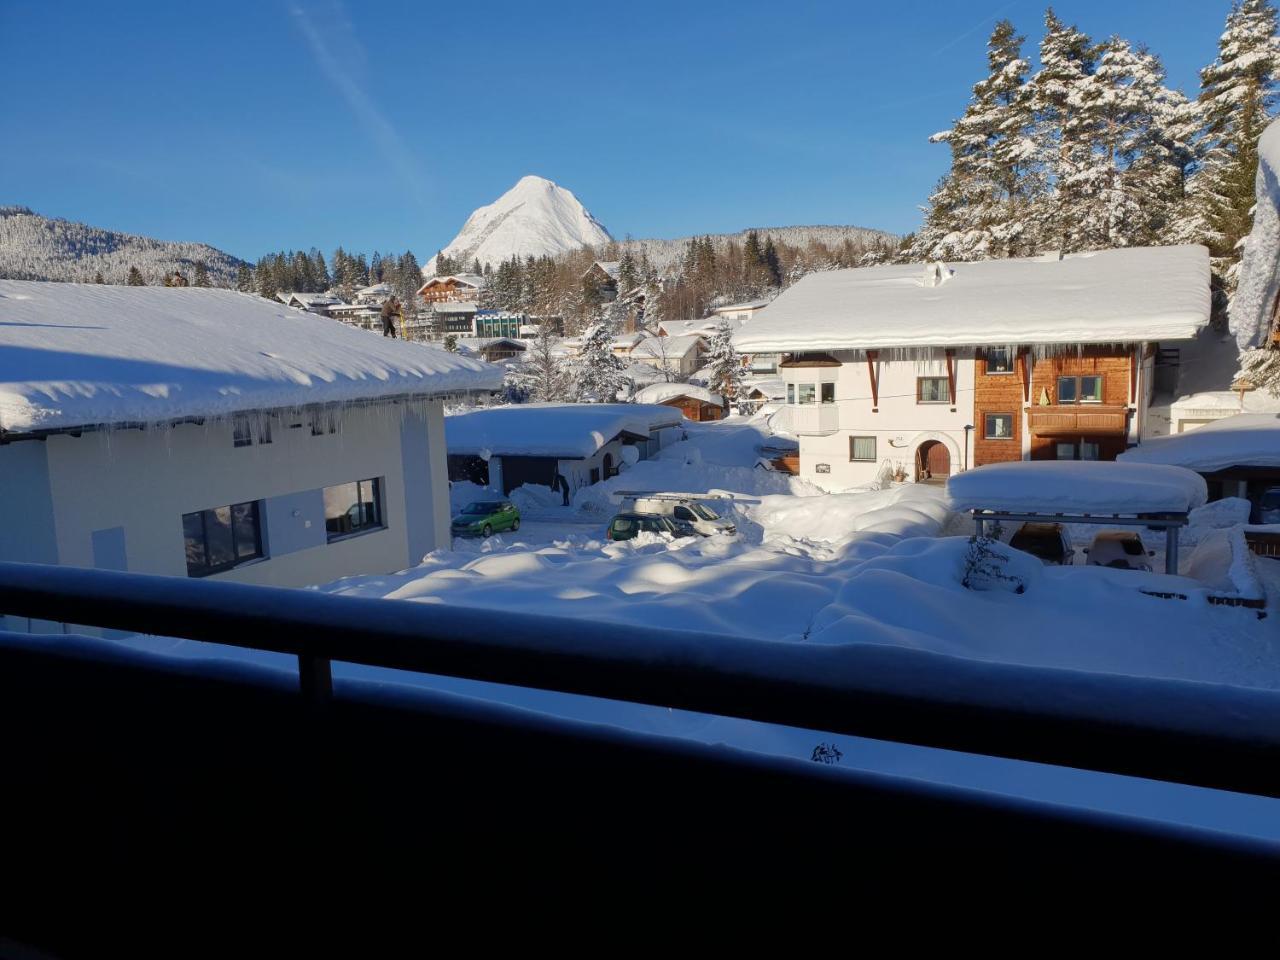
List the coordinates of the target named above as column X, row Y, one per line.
column 561, row 431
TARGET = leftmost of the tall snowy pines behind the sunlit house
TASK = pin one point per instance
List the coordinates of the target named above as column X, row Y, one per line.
column 980, row 209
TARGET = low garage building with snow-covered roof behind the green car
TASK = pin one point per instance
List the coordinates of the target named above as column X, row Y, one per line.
column 536, row 444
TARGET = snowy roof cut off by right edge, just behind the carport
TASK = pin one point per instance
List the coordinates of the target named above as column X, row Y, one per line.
column 1249, row 440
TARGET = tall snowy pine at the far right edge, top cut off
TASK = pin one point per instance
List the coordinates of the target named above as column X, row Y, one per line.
column 1237, row 99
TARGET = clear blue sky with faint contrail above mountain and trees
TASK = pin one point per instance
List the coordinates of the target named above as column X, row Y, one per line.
column 381, row 126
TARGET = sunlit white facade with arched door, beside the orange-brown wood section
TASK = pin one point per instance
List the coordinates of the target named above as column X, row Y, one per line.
column 900, row 426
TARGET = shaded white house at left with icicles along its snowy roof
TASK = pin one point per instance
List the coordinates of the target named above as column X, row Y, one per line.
column 211, row 433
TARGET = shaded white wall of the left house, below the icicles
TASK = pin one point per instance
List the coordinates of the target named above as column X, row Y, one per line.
column 131, row 488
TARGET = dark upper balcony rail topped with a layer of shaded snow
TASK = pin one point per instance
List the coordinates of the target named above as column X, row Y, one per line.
column 1199, row 734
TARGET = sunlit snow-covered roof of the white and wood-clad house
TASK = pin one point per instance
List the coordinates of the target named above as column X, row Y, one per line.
column 1133, row 295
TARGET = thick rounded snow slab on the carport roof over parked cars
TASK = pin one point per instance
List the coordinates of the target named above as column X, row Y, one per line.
column 1078, row 487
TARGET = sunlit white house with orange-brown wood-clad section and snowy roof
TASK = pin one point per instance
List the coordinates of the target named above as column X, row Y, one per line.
column 924, row 372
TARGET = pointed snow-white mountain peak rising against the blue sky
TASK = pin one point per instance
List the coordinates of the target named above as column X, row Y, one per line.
column 534, row 218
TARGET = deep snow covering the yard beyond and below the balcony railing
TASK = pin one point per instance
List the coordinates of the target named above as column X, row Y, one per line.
column 870, row 568
